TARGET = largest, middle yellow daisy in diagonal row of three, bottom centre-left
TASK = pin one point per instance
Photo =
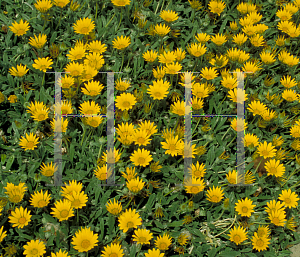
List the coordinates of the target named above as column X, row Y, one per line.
column 129, row 219
